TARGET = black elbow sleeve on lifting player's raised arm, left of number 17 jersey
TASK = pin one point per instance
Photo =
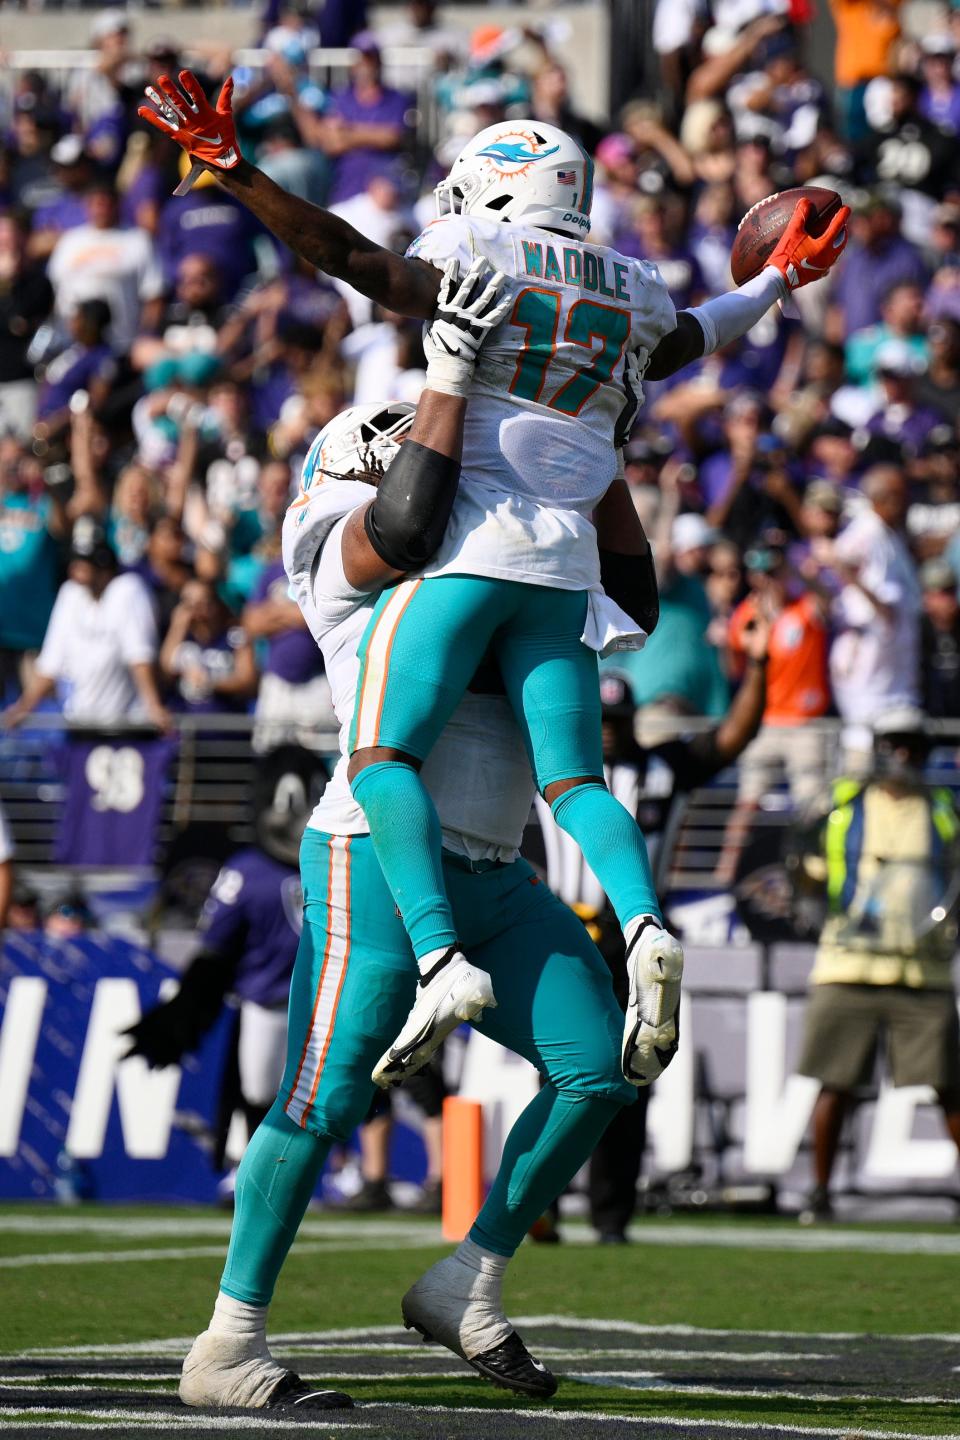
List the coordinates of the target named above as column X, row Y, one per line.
column 407, row 522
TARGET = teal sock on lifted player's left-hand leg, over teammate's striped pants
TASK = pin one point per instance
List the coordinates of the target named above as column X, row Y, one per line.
column 407, row 839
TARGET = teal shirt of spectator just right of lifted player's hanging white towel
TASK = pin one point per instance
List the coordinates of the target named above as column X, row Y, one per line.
column 679, row 660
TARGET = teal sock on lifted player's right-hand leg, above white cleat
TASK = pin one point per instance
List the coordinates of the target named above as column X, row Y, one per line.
column 612, row 846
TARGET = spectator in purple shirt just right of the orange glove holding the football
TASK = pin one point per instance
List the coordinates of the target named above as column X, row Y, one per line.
column 877, row 258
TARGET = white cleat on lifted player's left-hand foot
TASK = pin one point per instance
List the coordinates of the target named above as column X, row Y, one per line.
column 454, row 993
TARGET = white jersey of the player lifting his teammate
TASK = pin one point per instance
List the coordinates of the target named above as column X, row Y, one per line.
column 479, row 773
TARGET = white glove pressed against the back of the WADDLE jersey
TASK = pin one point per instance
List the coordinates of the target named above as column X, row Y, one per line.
column 467, row 310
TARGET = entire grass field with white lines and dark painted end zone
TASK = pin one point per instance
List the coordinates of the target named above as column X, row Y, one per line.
column 702, row 1328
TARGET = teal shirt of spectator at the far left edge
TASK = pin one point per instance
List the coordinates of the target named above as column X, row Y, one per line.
column 30, row 571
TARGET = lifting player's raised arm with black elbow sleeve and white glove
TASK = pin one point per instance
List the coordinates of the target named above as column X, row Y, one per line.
column 402, row 529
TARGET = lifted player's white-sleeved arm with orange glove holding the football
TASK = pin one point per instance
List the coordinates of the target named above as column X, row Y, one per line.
column 798, row 260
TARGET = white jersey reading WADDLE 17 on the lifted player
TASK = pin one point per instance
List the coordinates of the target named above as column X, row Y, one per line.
column 546, row 398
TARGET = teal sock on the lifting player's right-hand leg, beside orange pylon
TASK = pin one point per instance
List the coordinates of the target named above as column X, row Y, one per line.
column 552, row 1140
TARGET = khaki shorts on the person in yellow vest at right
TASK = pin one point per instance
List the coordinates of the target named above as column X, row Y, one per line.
column 844, row 1025
